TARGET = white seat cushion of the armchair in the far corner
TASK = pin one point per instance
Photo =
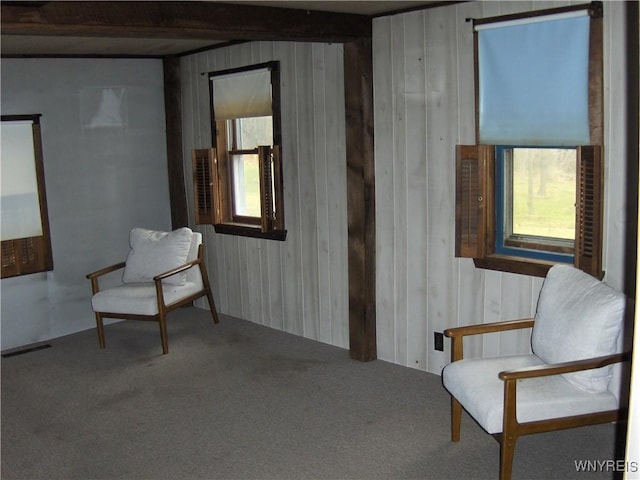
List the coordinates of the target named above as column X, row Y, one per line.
column 139, row 298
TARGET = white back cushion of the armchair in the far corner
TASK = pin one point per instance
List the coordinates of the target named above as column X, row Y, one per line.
column 153, row 252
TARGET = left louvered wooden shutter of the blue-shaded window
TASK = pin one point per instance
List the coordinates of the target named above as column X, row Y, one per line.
column 474, row 196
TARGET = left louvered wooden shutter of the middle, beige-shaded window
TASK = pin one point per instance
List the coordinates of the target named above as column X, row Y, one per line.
column 203, row 182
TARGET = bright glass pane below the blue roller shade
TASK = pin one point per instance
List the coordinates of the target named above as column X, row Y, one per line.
column 544, row 192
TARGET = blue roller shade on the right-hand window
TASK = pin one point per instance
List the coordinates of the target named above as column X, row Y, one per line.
column 533, row 81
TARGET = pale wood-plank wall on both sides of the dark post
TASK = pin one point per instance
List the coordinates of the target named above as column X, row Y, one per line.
column 423, row 107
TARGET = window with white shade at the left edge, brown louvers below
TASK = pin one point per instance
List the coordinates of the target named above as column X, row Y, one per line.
column 26, row 245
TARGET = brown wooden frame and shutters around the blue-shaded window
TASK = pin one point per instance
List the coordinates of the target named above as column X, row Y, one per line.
column 476, row 207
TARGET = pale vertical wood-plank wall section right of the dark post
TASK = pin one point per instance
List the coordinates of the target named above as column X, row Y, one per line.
column 424, row 106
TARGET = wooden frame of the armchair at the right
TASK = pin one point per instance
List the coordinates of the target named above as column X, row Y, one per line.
column 511, row 428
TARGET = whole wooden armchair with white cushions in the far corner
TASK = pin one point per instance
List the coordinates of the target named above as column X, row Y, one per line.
column 164, row 271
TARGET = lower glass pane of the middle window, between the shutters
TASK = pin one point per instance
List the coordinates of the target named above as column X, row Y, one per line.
column 246, row 185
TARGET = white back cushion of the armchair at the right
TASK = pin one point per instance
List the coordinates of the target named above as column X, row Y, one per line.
column 578, row 317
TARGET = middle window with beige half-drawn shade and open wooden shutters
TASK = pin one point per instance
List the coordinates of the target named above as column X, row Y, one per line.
column 238, row 183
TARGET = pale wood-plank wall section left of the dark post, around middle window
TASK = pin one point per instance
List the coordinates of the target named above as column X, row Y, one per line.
column 300, row 285
